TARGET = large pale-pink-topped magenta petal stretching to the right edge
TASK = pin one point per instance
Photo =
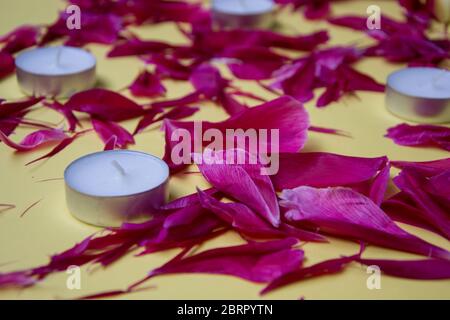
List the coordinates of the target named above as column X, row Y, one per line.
column 346, row 213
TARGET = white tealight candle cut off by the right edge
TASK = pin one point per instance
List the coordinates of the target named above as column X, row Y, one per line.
column 419, row 94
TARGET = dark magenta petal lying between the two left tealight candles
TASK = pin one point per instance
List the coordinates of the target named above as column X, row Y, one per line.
column 104, row 104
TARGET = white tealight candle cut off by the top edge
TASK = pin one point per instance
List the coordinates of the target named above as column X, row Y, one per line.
column 247, row 14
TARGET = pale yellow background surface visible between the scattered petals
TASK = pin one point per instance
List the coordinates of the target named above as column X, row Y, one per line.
column 48, row 227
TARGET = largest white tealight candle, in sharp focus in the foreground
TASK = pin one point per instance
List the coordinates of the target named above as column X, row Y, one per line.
column 111, row 187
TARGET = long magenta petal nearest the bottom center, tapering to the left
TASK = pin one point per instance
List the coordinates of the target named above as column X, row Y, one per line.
column 256, row 261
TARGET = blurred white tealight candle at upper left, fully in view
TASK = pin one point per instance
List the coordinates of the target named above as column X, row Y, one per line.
column 55, row 71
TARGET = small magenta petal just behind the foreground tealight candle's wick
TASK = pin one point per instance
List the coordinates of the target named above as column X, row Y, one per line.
column 112, row 134
